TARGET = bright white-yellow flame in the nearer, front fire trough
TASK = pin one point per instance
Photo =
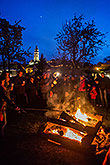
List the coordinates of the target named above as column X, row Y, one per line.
column 71, row 135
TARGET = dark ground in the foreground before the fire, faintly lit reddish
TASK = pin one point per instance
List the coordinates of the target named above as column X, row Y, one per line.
column 20, row 147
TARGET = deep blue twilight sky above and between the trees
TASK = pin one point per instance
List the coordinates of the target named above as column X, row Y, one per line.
column 43, row 19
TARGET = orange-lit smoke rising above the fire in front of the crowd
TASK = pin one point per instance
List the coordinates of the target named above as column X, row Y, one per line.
column 67, row 98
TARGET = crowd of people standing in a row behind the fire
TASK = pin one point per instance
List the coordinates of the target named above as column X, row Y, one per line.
column 25, row 90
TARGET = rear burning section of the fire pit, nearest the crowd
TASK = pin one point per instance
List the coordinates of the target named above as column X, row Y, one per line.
column 88, row 123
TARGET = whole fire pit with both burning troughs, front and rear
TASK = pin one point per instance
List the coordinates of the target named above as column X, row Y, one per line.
column 72, row 131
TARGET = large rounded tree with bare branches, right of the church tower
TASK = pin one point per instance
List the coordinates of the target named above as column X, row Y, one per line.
column 79, row 41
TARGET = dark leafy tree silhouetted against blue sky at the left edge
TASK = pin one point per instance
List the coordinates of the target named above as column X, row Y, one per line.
column 11, row 43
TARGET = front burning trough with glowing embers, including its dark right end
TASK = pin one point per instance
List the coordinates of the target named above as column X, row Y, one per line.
column 66, row 136
